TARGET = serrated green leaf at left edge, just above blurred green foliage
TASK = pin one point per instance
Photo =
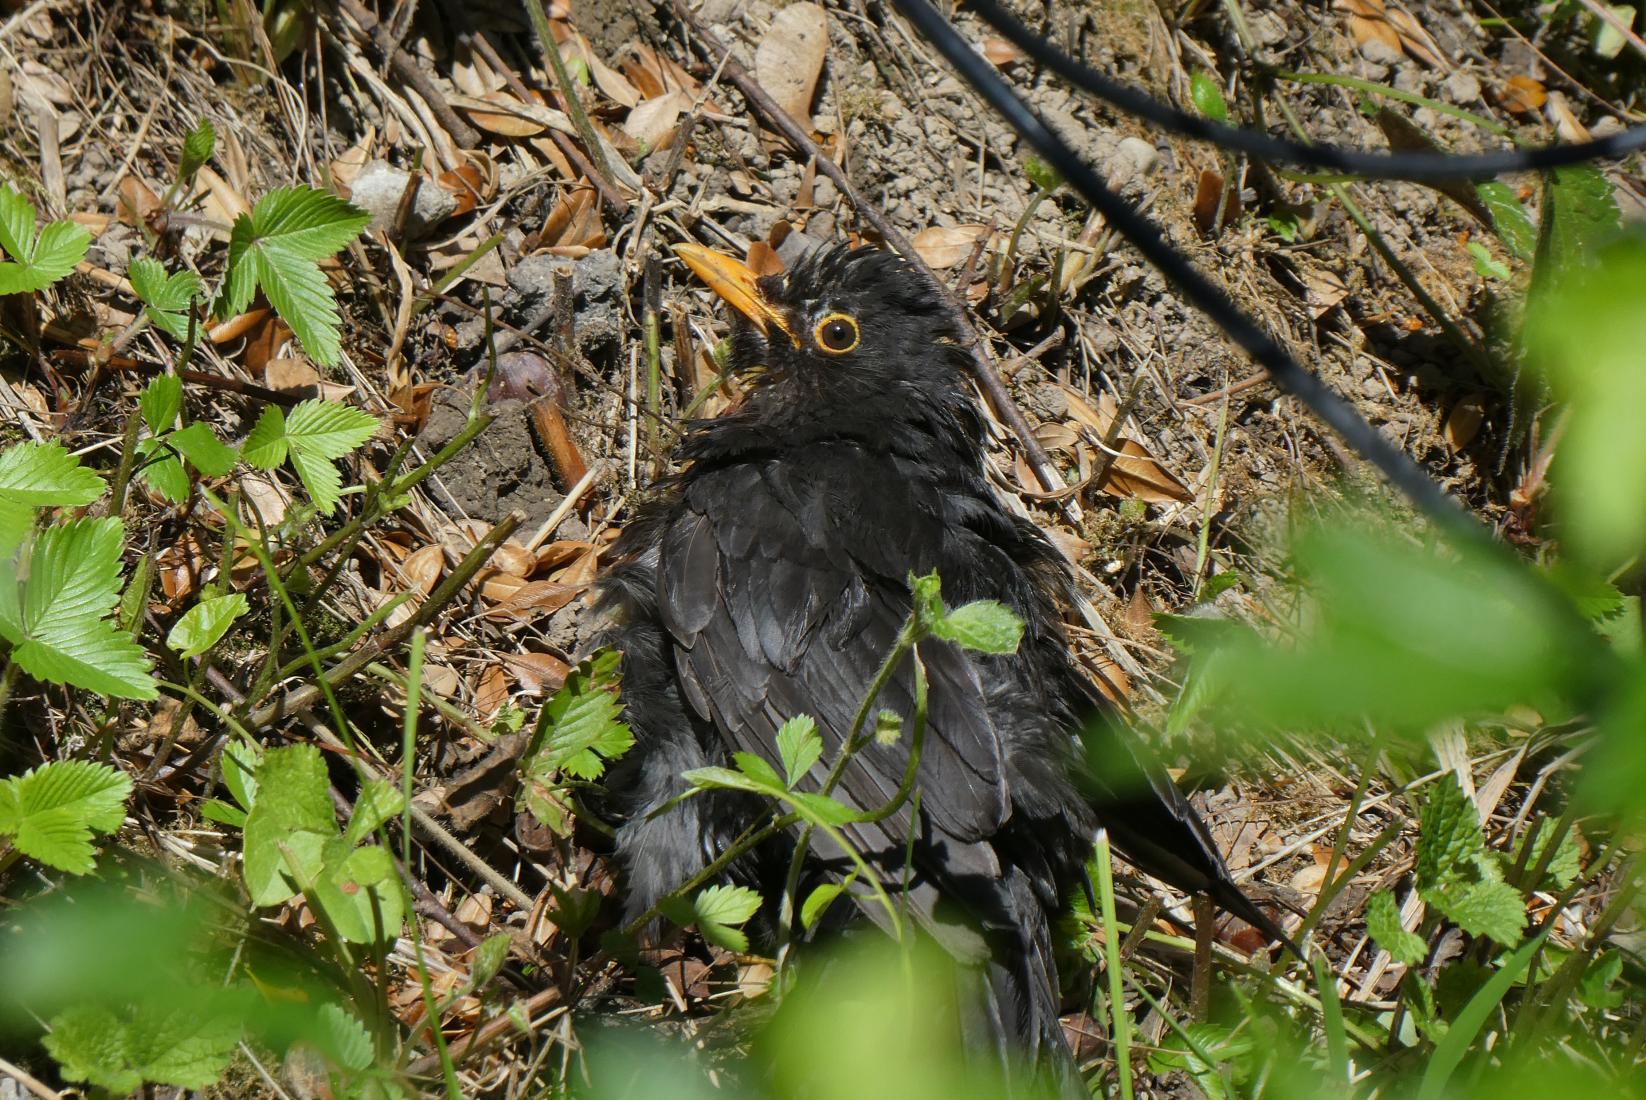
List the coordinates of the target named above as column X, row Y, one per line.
column 53, row 811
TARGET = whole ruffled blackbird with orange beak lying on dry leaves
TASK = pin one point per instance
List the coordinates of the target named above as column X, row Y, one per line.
column 770, row 579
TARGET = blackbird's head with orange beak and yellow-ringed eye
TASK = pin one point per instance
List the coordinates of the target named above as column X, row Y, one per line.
column 847, row 330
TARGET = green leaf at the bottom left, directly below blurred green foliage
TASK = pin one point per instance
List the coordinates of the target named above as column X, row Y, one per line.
column 123, row 1051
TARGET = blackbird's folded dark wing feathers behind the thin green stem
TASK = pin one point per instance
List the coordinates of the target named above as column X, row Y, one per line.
column 774, row 613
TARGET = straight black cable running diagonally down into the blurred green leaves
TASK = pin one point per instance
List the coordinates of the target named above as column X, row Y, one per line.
column 1400, row 470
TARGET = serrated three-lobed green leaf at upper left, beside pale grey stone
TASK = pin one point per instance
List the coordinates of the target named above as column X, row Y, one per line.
column 277, row 248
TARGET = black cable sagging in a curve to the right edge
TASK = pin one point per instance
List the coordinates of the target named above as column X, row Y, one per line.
column 1273, row 149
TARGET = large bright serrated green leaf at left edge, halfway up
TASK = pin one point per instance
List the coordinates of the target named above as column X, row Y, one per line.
column 58, row 622
